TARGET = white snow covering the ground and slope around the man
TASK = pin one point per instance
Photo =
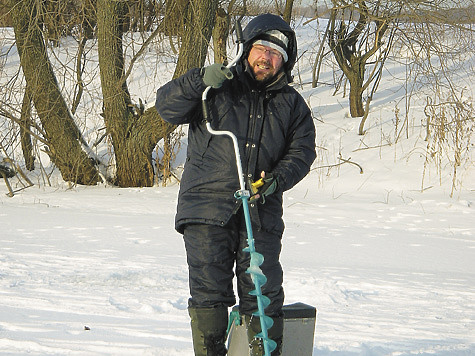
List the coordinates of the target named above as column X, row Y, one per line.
column 387, row 256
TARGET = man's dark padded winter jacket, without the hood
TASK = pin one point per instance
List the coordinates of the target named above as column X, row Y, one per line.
column 275, row 132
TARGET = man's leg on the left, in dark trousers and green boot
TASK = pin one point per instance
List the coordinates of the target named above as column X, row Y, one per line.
column 210, row 255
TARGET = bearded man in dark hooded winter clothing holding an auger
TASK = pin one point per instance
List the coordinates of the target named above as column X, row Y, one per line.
column 276, row 136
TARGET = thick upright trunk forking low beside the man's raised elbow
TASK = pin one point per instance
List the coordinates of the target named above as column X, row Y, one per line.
column 134, row 134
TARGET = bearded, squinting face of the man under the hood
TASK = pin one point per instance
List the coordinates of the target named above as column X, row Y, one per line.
column 265, row 61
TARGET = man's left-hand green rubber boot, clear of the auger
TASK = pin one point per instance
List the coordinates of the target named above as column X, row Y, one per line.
column 208, row 328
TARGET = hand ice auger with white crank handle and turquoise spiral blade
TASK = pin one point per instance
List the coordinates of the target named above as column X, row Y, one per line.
column 258, row 278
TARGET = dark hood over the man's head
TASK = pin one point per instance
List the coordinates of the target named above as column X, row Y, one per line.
column 266, row 22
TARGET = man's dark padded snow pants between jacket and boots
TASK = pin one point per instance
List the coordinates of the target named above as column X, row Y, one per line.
column 215, row 252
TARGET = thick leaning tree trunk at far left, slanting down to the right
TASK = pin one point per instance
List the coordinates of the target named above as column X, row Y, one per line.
column 63, row 137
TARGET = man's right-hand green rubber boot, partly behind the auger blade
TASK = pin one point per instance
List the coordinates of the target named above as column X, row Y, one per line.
column 276, row 333
